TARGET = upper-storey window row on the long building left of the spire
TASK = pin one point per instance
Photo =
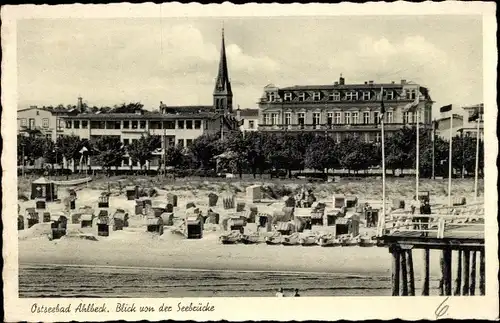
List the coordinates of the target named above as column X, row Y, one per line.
column 171, row 124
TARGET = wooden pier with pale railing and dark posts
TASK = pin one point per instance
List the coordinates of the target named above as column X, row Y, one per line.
column 456, row 232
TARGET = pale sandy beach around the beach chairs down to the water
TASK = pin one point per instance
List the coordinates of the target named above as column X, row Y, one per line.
column 136, row 249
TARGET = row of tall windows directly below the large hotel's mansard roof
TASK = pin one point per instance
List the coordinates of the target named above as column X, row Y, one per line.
column 331, row 118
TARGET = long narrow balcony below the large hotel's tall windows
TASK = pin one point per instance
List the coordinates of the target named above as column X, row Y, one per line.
column 332, row 127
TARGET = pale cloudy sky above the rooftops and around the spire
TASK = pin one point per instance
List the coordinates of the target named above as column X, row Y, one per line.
column 110, row 61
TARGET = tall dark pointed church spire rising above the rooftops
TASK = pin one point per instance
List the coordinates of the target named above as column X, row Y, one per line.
column 223, row 95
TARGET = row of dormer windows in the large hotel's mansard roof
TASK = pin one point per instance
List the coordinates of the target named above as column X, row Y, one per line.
column 338, row 96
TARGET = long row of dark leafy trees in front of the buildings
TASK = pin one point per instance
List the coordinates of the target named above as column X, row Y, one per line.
column 260, row 152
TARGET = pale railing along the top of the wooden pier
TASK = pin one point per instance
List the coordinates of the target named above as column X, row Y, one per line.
column 470, row 219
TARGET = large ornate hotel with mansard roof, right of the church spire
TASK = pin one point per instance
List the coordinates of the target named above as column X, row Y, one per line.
column 341, row 109
